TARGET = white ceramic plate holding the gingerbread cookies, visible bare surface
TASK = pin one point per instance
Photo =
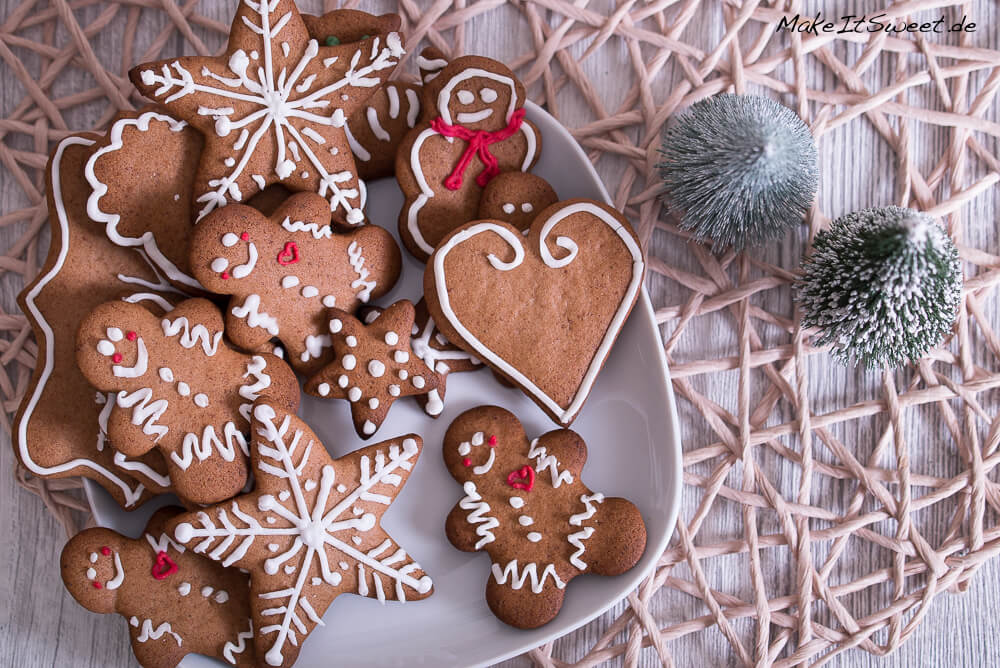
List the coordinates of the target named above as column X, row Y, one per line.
column 629, row 423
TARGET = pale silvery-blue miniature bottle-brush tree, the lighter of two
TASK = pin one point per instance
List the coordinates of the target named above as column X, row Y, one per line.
column 738, row 170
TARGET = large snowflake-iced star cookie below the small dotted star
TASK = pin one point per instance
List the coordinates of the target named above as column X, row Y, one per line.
column 310, row 530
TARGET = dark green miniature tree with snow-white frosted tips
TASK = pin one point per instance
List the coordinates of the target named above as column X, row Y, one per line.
column 882, row 285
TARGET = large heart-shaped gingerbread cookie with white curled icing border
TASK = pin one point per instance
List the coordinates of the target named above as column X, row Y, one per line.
column 543, row 310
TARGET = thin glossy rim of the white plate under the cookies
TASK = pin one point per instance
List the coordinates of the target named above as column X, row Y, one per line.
column 643, row 306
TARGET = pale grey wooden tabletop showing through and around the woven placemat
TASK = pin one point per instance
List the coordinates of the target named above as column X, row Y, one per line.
column 41, row 626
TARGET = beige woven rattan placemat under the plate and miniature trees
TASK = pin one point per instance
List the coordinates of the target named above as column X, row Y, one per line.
column 847, row 500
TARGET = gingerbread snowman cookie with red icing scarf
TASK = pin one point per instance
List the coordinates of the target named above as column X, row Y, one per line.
column 475, row 129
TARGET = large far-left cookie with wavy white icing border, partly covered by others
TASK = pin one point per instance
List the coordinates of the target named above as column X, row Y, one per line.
column 57, row 432
